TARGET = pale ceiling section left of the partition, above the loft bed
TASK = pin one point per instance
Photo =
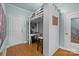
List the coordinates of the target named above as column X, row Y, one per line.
column 28, row 6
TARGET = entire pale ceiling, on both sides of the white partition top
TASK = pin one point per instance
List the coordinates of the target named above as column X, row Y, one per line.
column 63, row 7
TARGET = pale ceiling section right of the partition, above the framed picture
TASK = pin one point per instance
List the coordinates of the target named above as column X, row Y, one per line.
column 67, row 7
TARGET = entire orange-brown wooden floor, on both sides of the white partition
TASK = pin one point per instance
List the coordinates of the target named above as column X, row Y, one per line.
column 31, row 50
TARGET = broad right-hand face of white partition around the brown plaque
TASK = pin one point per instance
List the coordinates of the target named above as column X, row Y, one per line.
column 53, row 31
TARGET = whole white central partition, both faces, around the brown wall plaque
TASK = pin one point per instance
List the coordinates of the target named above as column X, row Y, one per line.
column 51, row 32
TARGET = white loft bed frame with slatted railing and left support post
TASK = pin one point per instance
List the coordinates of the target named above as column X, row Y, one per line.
column 37, row 14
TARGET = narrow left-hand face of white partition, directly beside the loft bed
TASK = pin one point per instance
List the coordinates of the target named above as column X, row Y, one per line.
column 46, row 31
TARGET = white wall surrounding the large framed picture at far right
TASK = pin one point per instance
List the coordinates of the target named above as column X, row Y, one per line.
column 67, row 29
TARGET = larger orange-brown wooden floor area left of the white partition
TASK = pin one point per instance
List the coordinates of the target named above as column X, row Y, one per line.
column 23, row 50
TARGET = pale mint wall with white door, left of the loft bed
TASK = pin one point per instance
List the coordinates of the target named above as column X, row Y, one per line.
column 15, row 18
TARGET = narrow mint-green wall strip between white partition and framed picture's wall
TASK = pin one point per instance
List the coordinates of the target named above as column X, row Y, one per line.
column 61, row 30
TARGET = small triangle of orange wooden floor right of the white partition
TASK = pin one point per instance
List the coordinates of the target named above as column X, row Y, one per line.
column 61, row 52
